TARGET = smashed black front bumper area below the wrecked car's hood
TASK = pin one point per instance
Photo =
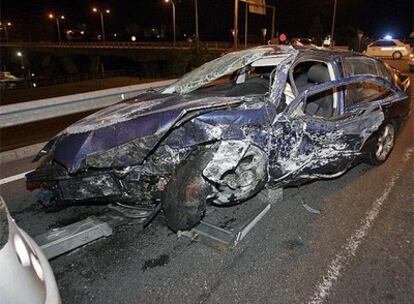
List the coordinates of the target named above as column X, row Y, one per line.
column 101, row 186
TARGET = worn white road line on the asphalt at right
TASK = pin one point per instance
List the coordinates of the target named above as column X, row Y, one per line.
column 341, row 259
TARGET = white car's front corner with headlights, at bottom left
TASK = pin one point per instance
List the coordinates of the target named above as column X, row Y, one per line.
column 25, row 274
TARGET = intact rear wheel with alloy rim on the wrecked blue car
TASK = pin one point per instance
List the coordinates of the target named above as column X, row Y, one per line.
column 384, row 142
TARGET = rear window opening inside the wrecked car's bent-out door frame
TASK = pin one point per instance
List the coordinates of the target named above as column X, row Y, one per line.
column 363, row 92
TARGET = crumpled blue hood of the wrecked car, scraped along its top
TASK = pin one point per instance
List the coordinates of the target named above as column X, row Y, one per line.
column 139, row 123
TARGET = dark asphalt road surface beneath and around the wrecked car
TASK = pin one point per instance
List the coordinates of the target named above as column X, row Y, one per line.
column 359, row 249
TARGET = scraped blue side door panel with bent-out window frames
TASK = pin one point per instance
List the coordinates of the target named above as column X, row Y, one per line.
column 307, row 146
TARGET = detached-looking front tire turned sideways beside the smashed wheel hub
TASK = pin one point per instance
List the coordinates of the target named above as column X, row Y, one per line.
column 185, row 196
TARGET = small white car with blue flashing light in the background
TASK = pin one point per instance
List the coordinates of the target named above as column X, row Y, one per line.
column 388, row 48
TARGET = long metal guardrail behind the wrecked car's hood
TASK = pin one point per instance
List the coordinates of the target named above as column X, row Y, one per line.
column 32, row 111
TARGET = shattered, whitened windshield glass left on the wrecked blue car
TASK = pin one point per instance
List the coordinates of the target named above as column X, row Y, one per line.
column 219, row 71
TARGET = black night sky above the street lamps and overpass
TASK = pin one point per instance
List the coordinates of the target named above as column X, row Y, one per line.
column 294, row 17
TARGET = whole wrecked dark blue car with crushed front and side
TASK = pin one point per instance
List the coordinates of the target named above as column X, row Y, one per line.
column 271, row 116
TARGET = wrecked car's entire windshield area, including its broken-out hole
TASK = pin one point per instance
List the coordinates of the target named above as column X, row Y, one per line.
column 249, row 68
